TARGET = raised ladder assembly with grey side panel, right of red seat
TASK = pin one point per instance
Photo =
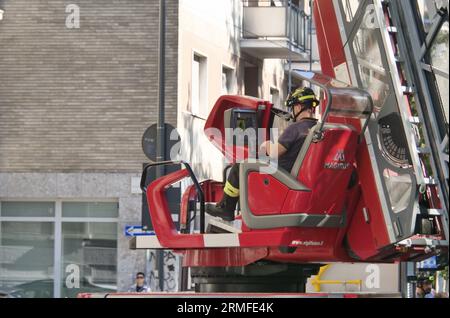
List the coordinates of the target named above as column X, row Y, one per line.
column 389, row 54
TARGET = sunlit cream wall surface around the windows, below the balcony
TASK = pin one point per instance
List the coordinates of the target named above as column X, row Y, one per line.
column 213, row 30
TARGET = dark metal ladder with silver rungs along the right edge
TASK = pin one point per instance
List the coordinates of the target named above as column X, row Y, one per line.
column 413, row 50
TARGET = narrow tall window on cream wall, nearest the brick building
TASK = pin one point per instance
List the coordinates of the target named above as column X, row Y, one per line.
column 199, row 86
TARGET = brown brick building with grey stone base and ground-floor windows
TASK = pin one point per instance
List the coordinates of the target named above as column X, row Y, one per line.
column 75, row 99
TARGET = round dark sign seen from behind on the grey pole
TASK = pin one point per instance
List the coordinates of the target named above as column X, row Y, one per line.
column 149, row 141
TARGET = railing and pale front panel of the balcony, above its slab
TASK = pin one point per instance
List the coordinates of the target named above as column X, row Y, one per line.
column 277, row 20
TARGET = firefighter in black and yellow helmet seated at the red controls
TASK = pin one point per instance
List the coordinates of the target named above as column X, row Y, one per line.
column 302, row 103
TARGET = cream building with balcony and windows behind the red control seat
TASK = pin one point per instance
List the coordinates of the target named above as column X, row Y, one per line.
column 232, row 47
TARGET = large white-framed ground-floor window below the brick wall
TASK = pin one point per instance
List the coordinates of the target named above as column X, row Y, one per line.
column 58, row 249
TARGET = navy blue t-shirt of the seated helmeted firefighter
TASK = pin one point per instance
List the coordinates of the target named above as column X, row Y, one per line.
column 292, row 139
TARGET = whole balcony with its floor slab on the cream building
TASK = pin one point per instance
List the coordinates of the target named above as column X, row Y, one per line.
column 275, row 29
